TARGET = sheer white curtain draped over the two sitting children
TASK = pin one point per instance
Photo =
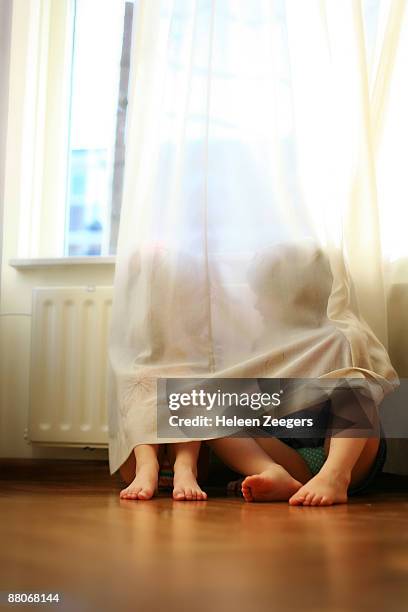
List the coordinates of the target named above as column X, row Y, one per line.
column 251, row 234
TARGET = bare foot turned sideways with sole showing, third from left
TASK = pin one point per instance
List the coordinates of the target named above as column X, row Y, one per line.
column 274, row 484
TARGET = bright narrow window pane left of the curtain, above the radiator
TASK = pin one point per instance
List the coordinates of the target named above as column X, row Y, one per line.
column 98, row 102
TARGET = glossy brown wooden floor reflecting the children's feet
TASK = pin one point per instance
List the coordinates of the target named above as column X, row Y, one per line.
column 69, row 533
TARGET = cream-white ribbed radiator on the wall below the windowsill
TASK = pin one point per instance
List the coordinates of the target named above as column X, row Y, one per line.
column 68, row 372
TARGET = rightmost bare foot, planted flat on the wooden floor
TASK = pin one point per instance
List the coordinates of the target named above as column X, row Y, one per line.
column 324, row 489
